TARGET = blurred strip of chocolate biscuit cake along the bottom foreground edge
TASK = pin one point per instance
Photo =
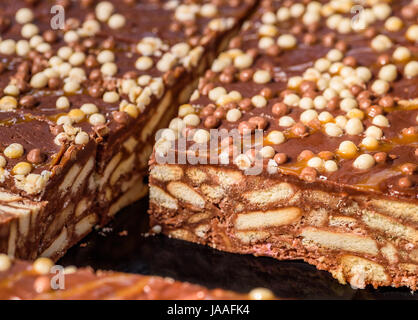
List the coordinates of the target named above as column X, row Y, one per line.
column 33, row 281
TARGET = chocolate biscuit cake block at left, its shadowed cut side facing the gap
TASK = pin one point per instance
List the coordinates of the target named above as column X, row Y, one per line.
column 85, row 85
